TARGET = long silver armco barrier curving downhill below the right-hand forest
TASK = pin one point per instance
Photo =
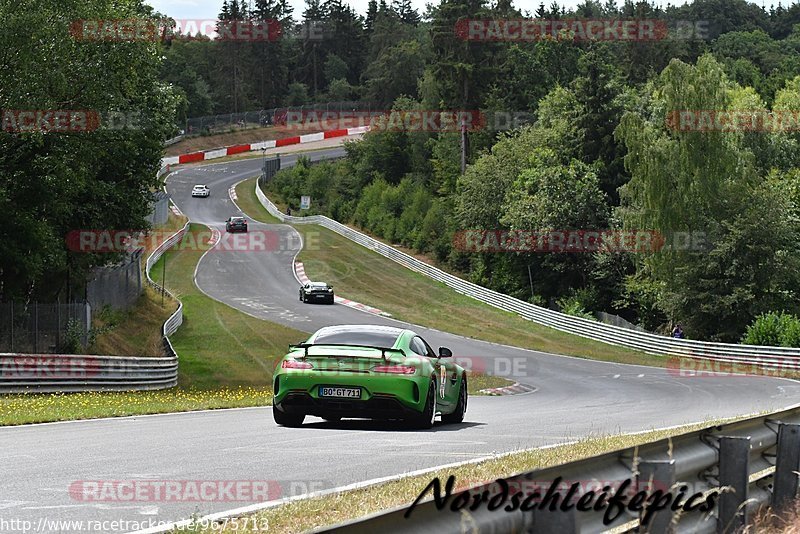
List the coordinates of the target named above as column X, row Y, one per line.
column 780, row 358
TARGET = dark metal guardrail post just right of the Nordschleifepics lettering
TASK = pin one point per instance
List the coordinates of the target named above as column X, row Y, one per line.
column 734, row 473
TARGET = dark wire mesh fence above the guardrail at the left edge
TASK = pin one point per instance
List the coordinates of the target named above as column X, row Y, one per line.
column 43, row 327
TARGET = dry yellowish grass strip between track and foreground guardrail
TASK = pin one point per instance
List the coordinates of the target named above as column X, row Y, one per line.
column 306, row 514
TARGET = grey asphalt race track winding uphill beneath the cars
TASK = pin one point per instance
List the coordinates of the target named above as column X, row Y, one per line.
column 574, row 398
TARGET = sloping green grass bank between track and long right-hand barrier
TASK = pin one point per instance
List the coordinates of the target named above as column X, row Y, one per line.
column 366, row 276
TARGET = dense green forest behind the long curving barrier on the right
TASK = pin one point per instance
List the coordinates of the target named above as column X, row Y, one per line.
column 599, row 154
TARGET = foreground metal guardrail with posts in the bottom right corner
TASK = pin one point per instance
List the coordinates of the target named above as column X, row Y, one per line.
column 748, row 463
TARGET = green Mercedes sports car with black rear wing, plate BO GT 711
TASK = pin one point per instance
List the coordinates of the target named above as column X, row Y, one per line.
column 368, row 371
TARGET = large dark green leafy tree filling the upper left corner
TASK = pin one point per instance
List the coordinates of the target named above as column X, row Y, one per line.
column 54, row 182
